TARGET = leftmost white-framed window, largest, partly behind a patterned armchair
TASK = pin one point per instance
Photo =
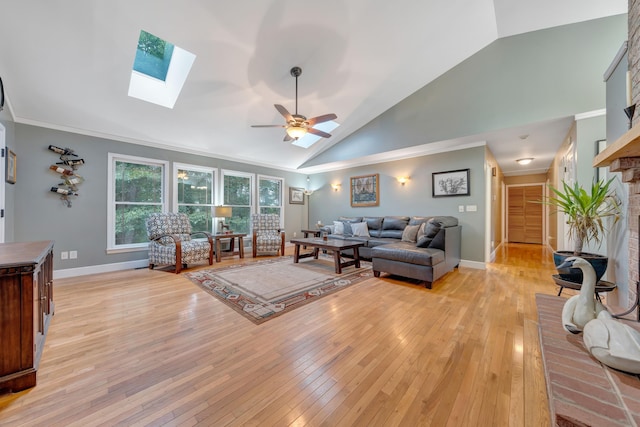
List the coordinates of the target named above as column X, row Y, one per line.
column 137, row 187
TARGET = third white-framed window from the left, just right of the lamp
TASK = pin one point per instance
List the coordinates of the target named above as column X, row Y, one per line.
column 237, row 192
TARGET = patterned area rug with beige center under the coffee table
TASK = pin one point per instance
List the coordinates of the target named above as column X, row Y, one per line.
column 266, row 289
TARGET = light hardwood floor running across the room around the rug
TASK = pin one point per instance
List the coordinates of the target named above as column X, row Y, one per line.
column 150, row 348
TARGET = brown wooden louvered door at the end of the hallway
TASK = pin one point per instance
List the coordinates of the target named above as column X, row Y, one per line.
column 524, row 214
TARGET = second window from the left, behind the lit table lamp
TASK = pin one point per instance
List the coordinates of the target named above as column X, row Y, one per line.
column 193, row 189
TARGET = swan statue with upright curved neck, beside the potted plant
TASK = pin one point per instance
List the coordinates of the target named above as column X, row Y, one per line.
column 581, row 308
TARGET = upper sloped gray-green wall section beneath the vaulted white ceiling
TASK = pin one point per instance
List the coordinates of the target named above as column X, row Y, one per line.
column 514, row 81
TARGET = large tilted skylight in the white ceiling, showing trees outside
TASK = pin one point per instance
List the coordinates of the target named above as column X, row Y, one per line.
column 159, row 70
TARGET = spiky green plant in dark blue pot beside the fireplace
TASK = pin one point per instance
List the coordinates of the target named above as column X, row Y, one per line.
column 587, row 215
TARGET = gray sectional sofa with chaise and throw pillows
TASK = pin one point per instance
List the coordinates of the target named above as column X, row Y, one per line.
column 394, row 244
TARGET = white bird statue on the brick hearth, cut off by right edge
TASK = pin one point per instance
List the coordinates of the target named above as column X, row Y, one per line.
column 613, row 343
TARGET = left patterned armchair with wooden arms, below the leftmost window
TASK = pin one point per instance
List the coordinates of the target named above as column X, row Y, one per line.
column 170, row 241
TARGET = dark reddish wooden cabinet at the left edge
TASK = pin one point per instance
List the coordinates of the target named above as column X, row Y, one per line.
column 26, row 307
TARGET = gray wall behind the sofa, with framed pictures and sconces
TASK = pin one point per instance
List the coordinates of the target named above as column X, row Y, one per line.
column 414, row 198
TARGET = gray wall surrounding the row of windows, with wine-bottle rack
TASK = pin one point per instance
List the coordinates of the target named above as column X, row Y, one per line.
column 39, row 214
